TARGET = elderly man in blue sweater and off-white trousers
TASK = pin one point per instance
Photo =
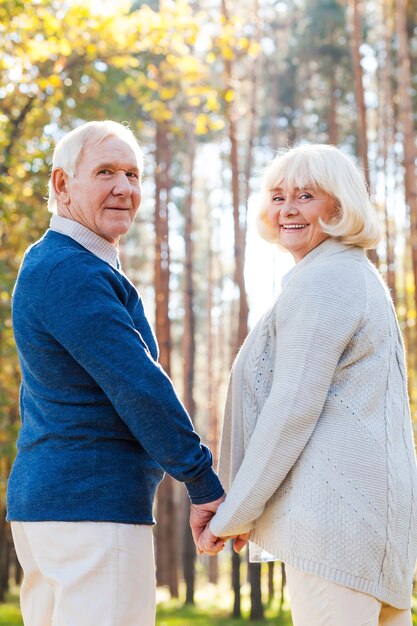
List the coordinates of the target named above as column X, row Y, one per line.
column 100, row 419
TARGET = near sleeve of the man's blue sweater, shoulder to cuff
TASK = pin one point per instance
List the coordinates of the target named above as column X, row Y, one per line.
column 84, row 311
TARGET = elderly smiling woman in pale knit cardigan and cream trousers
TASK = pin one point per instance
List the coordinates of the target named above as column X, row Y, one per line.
column 317, row 451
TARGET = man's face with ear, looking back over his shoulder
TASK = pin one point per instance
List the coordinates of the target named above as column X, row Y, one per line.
column 105, row 193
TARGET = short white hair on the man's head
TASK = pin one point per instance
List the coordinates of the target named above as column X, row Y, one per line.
column 69, row 150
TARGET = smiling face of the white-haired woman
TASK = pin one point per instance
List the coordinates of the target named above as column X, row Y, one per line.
column 295, row 214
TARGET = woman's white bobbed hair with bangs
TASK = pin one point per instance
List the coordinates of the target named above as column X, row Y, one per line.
column 323, row 167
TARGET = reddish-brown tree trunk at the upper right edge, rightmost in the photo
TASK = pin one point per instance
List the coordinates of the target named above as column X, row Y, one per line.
column 405, row 106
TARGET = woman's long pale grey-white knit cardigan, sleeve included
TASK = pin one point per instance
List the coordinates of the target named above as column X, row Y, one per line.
column 317, row 450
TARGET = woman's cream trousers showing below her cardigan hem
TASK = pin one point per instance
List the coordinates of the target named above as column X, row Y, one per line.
column 318, row 602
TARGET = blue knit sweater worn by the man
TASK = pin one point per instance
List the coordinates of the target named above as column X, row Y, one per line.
column 100, row 419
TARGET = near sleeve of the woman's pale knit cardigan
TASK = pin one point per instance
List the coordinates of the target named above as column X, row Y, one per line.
column 316, row 318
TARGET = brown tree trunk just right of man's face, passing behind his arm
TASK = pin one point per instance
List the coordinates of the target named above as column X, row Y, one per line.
column 166, row 548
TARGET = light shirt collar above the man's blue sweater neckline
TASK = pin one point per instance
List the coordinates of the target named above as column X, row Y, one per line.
column 86, row 238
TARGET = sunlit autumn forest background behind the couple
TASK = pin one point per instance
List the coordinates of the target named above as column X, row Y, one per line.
column 212, row 88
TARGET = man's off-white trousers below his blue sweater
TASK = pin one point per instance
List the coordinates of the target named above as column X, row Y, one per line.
column 86, row 573
